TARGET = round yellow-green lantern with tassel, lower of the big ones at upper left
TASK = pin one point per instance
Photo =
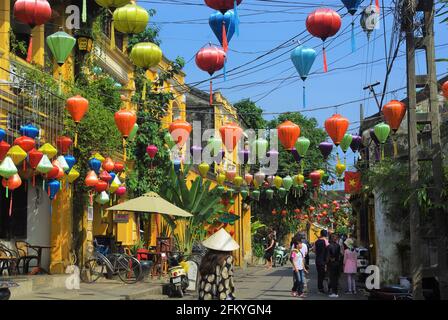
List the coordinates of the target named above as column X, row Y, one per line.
column 146, row 55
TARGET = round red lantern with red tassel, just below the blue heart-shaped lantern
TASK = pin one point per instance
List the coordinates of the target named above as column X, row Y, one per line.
column 210, row 59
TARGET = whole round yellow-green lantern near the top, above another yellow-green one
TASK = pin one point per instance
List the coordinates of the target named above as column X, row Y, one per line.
column 131, row 19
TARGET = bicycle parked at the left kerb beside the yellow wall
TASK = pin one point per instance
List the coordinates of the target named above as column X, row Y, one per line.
column 128, row 268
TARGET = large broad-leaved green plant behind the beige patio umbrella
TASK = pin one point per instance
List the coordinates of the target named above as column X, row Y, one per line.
column 200, row 200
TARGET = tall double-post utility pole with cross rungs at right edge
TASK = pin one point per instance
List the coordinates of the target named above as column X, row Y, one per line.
column 423, row 40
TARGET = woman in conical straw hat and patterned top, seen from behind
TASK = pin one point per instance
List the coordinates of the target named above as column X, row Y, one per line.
column 216, row 269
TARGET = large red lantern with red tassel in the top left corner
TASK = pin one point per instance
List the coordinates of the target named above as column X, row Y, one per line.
column 32, row 13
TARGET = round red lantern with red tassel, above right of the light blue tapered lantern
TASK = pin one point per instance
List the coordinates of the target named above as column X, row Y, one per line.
column 323, row 23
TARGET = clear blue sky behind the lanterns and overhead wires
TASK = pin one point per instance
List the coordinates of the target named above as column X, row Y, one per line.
column 267, row 24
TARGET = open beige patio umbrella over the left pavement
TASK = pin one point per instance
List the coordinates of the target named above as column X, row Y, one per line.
column 151, row 202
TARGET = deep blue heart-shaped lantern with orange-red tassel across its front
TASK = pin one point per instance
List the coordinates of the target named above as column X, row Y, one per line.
column 223, row 26
